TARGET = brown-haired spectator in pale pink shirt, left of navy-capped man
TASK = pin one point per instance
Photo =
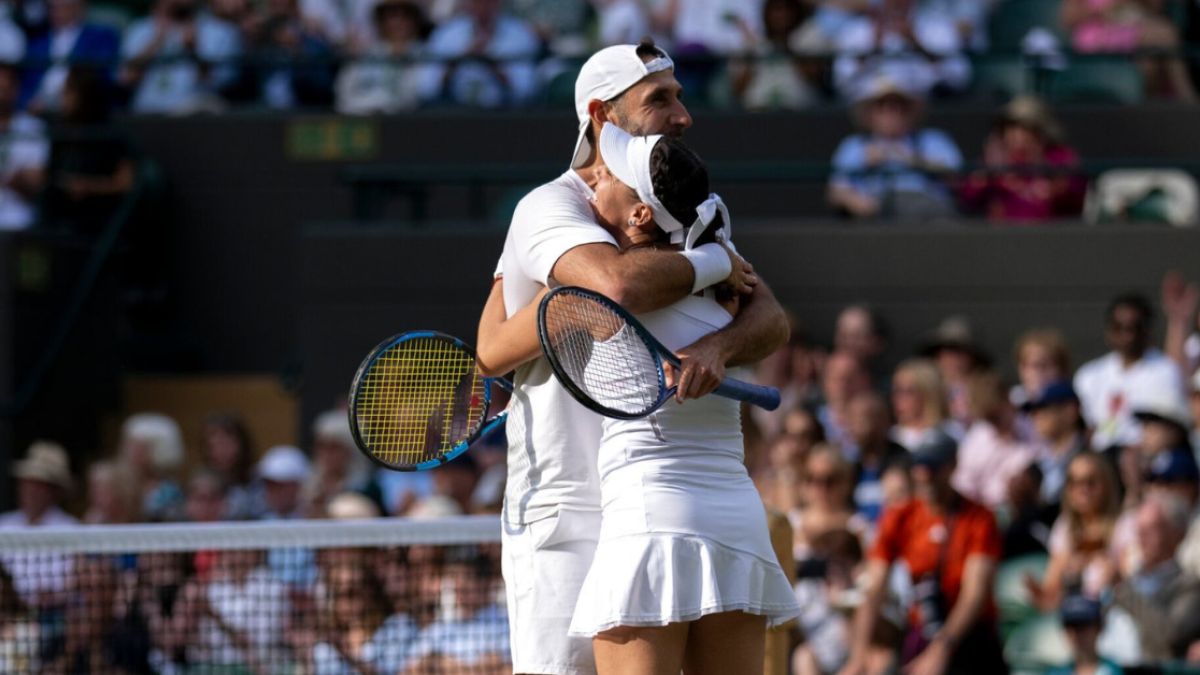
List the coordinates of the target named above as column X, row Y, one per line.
column 993, row 453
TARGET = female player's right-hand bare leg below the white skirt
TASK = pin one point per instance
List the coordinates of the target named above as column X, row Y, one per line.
column 731, row 643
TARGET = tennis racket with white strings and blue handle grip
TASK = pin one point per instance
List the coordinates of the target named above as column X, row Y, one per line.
column 610, row 362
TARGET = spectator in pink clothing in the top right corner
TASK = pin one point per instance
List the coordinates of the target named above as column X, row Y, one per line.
column 1126, row 27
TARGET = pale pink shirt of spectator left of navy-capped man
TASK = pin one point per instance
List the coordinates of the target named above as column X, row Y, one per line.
column 988, row 463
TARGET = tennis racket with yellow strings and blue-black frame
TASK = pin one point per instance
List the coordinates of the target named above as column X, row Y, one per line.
column 418, row 402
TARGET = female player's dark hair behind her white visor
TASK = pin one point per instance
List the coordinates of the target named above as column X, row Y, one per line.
column 681, row 183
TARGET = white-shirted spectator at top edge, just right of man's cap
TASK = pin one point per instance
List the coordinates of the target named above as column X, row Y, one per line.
column 718, row 25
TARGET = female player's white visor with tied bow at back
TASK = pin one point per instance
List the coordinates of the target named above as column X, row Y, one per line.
column 629, row 159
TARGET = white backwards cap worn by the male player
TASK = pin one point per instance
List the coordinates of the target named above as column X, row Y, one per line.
column 604, row 77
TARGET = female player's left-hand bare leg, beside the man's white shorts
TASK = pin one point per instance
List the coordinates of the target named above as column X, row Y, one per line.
column 629, row 650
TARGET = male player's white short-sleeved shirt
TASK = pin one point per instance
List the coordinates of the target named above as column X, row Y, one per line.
column 554, row 441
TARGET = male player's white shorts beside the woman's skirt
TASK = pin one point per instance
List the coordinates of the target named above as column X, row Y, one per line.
column 545, row 564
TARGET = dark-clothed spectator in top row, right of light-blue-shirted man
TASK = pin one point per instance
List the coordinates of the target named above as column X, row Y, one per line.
column 293, row 56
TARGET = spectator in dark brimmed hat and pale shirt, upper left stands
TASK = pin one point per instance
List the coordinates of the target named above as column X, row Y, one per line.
column 383, row 82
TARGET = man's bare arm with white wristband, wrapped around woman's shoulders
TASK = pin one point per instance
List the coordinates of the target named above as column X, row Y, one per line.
column 644, row 280
